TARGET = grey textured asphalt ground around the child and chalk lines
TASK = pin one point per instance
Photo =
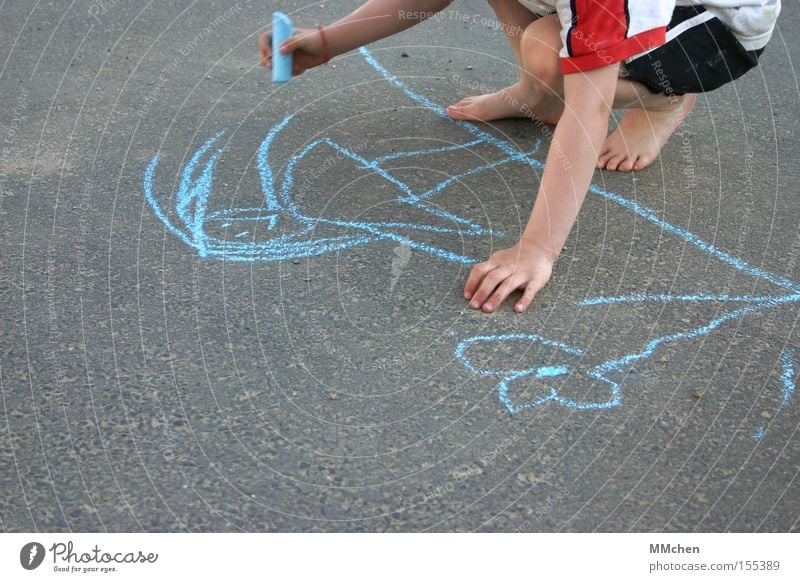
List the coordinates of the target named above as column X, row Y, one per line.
column 147, row 389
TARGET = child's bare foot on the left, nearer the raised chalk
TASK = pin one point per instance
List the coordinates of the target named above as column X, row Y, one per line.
column 513, row 101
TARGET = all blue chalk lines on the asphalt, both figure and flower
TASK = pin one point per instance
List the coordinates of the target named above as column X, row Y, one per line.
column 192, row 209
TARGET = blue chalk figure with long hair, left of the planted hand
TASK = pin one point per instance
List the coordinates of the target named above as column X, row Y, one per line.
column 281, row 229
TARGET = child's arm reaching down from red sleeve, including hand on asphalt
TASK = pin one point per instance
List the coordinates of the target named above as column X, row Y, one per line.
column 568, row 172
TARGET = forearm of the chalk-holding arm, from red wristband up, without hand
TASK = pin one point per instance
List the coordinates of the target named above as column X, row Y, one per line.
column 377, row 19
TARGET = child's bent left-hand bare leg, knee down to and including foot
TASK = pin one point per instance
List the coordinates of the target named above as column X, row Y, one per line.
column 539, row 90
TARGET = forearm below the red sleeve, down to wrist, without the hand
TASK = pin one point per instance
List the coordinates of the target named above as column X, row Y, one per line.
column 571, row 160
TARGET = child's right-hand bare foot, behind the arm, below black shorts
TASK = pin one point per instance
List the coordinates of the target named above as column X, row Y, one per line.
column 641, row 134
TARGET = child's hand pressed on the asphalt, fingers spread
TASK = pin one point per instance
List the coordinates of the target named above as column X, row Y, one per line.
column 525, row 266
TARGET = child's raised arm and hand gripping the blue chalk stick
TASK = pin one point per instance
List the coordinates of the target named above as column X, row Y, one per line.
column 374, row 20
